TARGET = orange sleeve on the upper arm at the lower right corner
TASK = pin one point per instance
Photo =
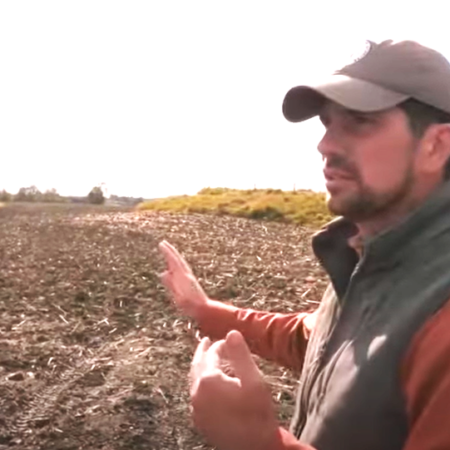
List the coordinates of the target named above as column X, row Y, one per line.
column 426, row 382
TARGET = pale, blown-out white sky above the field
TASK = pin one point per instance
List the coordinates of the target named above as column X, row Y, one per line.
column 165, row 97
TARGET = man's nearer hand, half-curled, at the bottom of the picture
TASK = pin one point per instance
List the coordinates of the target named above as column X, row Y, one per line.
column 231, row 404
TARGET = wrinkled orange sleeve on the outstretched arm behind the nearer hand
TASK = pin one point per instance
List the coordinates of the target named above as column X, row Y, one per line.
column 281, row 338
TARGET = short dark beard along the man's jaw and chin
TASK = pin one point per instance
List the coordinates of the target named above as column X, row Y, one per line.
column 364, row 203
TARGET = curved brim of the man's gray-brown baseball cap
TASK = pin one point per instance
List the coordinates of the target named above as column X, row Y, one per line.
column 304, row 102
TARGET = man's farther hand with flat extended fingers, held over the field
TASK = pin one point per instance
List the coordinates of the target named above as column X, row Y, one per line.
column 186, row 291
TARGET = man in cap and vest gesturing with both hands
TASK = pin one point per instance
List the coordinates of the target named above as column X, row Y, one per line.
column 375, row 356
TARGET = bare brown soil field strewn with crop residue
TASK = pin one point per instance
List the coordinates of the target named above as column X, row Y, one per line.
column 93, row 354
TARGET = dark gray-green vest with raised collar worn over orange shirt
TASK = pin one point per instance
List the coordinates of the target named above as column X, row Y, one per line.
column 350, row 395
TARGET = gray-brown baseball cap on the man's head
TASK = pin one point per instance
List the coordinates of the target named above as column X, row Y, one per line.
column 382, row 76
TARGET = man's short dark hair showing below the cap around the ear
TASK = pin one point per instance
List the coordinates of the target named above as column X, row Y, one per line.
column 420, row 117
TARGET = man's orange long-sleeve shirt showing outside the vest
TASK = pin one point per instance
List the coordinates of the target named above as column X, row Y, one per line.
column 425, row 371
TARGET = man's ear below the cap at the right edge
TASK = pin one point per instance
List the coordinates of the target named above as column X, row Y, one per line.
column 435, row 148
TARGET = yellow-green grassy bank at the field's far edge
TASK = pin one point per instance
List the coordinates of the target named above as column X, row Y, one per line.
column 302, row 207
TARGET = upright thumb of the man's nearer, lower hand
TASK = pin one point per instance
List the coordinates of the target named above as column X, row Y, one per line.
column 241, row 359
